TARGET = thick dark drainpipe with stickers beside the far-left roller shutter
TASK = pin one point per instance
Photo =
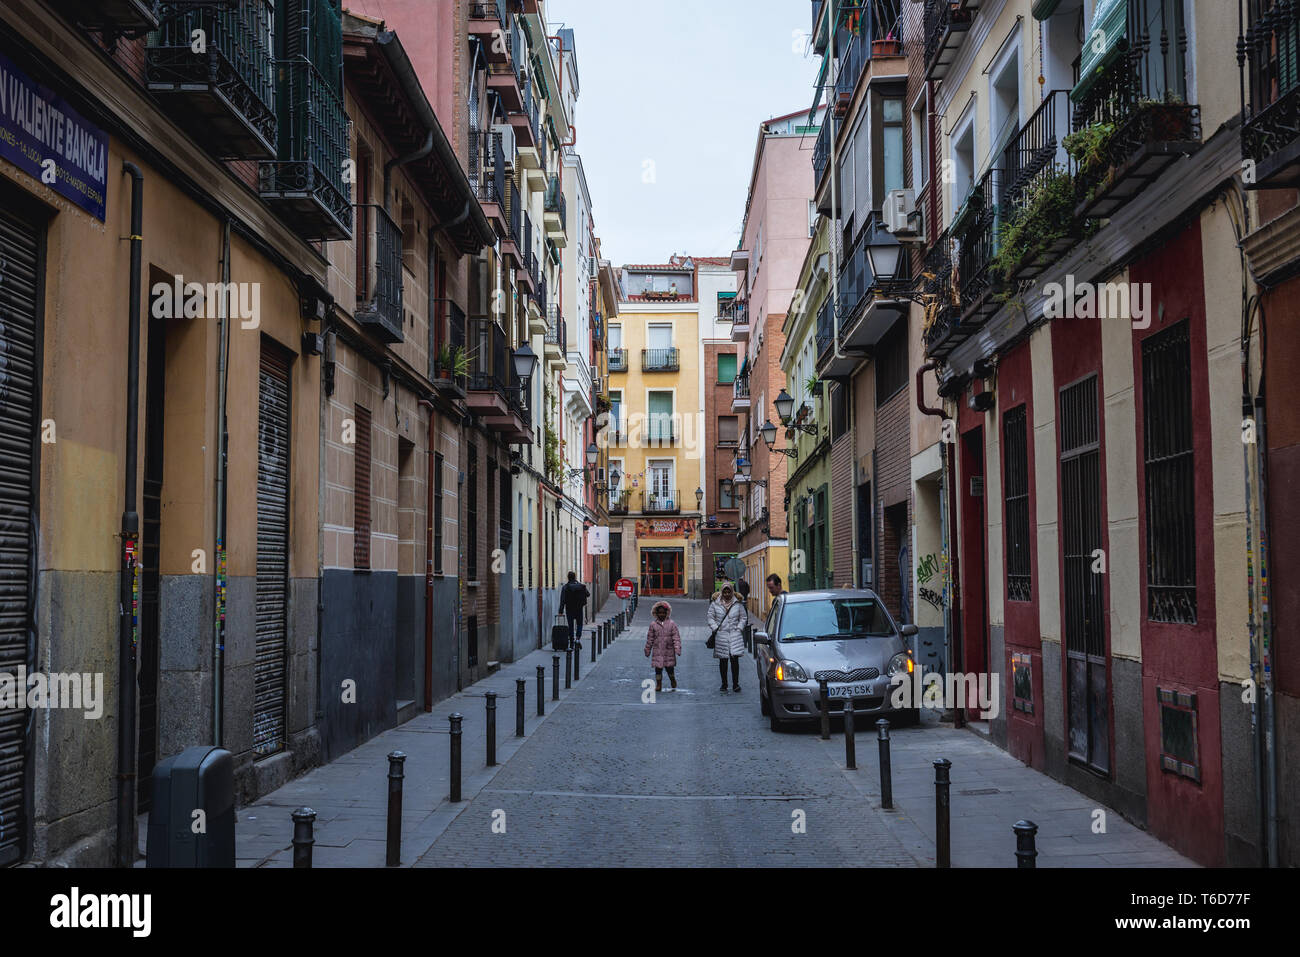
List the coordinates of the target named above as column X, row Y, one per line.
column 127, row 610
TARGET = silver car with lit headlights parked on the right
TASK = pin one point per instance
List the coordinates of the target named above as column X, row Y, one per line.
column 846, row 636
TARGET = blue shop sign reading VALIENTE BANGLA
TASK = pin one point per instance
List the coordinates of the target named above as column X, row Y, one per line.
column 46, row 138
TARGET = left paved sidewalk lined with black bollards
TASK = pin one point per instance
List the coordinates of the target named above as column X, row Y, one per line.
column 350, row 795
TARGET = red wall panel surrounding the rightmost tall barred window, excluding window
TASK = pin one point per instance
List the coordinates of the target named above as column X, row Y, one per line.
column 1182, row 657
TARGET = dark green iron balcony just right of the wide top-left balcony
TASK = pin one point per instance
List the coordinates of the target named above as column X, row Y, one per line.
column 306, row 185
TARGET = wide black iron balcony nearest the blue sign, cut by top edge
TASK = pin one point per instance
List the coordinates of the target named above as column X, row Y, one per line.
column 227, row 97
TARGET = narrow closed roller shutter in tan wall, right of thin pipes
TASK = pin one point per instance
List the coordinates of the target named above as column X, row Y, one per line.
column 270, row 675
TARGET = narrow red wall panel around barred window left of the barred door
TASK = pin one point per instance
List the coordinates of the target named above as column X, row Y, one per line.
column 1022, row 633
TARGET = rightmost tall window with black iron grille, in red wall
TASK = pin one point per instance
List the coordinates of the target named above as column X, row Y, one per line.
column 1171, row 482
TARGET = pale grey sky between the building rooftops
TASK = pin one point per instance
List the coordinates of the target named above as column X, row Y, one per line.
column 683, row 85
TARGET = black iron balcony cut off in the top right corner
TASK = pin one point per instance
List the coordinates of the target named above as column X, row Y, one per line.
column 1271, row 127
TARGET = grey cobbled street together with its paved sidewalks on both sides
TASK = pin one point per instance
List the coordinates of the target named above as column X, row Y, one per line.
column 695, row 778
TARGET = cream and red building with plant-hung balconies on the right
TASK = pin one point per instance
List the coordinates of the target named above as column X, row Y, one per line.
column 1086, row 306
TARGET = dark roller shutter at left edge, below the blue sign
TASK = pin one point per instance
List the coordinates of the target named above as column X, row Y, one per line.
column 20, row 258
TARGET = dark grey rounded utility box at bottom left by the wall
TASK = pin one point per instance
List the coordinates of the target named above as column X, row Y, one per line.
column 193, row 821
